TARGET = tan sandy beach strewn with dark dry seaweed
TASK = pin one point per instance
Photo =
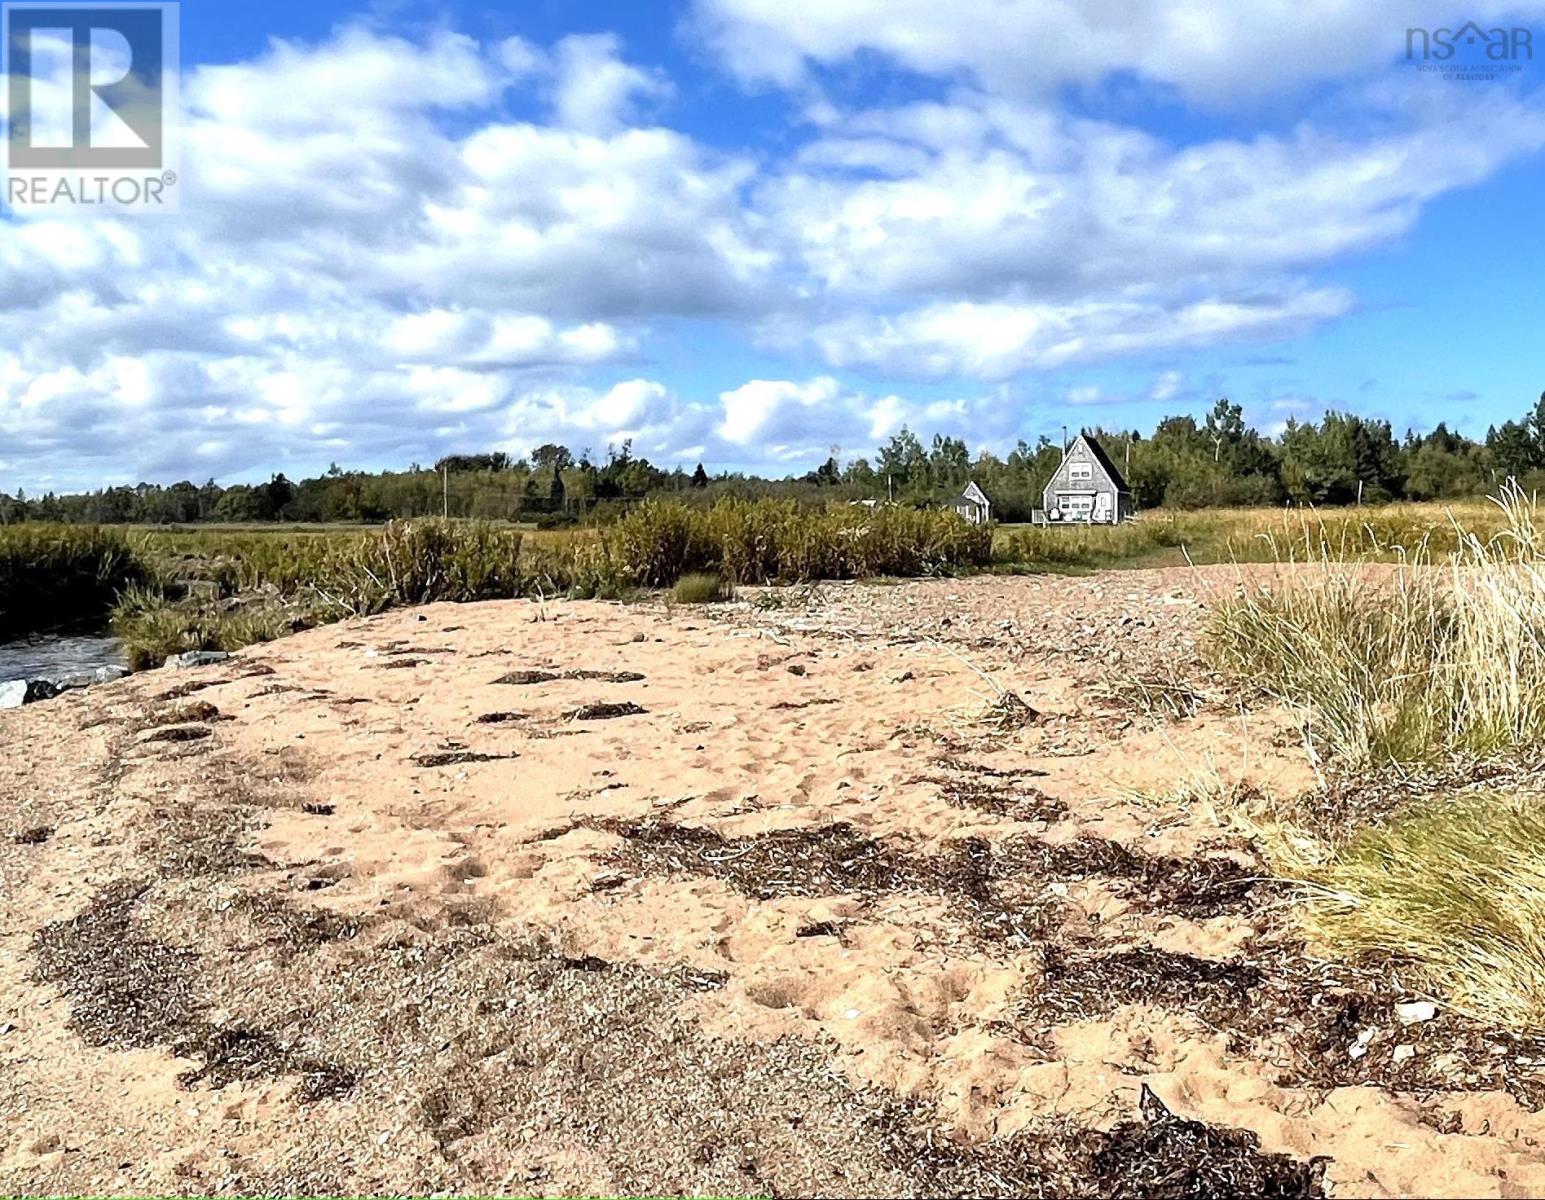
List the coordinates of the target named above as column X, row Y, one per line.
column 860, row 890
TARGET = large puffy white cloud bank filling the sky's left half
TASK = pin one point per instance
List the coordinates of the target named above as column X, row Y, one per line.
column 355, row 279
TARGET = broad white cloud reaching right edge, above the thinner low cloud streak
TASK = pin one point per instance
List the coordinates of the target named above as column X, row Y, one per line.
column 1003, row 200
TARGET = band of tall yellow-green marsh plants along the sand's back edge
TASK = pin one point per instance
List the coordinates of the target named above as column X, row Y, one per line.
column 301, row 578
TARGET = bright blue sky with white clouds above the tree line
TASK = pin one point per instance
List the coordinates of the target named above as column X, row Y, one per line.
column 747, row 237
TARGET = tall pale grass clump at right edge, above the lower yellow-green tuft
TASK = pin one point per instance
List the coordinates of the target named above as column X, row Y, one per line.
column 1438, row 656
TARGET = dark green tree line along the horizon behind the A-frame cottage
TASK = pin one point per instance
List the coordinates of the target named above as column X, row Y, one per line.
column 1183, row 464
